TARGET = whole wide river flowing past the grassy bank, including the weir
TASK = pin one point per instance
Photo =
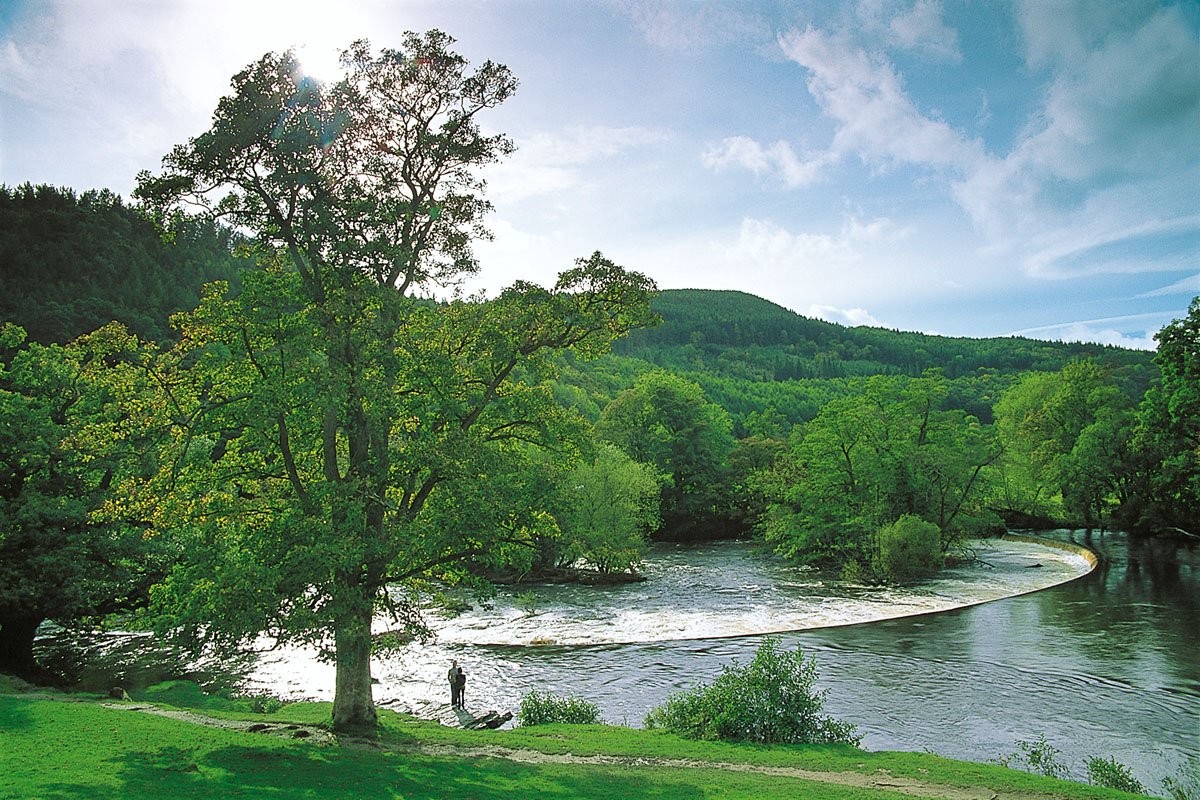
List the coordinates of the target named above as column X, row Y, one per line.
column 1102, row 663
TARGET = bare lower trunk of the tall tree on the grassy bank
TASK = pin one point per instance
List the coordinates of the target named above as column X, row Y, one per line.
column 353, row 705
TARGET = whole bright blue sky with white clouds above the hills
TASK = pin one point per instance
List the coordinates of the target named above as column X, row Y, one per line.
column 956, row 167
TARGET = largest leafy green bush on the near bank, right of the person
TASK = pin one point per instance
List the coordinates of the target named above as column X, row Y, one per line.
column 769, row 701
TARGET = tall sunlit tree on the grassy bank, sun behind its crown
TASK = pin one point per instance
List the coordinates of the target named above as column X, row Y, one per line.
column 335, row 437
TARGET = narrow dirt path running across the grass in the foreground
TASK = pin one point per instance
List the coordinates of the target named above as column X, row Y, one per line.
column 879, row 780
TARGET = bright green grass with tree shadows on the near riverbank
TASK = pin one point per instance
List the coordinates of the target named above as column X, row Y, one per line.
column 53, row 749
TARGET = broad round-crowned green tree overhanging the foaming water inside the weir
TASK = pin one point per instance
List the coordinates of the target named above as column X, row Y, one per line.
column 868, row 460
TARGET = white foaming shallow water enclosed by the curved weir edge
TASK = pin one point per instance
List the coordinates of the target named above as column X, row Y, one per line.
column 689, row 597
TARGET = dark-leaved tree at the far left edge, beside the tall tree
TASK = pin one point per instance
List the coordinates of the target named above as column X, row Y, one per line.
column 62, row 447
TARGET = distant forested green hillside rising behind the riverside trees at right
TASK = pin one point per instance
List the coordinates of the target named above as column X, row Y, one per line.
column 754, row 358
